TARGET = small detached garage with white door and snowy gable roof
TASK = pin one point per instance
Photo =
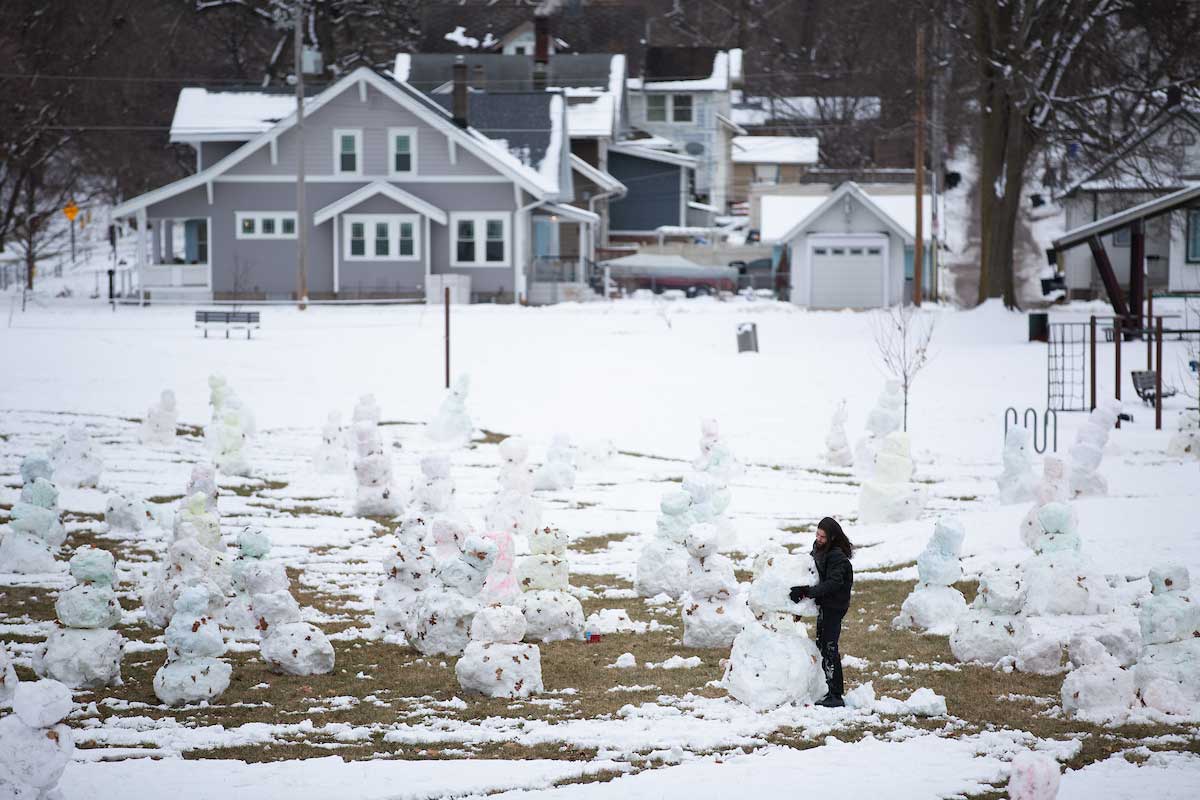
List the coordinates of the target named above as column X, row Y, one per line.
column 848, row 248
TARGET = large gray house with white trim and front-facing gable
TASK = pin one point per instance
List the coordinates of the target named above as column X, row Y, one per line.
column 400, row 193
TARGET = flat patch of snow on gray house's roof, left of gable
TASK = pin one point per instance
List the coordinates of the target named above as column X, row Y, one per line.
column 231, row 116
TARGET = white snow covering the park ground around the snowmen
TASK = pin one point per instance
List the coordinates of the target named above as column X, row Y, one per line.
column 639, row 375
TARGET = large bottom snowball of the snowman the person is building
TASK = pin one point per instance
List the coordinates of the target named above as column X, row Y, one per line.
column 769, row 670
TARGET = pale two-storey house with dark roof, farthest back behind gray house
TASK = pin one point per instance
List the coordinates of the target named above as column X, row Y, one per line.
column 685, row 97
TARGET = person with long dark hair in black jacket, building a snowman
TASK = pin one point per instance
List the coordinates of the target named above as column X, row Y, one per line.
column 832, row 552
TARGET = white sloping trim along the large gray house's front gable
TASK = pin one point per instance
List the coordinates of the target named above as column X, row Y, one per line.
column 475, row 142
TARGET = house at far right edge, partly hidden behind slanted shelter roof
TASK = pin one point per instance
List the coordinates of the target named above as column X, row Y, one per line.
column 1162, row 159
